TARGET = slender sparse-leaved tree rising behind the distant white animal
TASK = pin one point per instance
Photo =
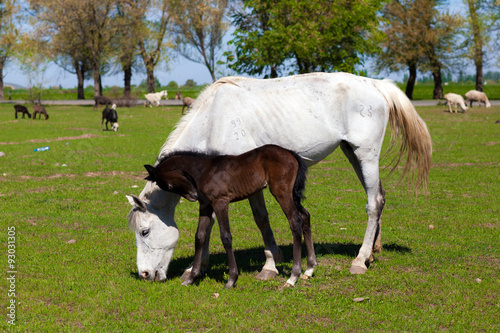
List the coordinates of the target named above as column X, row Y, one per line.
column 152, row 44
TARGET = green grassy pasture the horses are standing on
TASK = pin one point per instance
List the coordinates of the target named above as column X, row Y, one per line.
column 75, row 257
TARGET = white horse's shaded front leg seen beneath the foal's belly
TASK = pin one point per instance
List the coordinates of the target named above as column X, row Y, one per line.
column 272, row 251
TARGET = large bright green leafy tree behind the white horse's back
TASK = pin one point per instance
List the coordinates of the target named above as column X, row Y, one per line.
column 283, row 37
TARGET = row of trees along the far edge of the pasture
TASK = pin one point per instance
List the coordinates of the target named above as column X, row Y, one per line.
column 271, row 38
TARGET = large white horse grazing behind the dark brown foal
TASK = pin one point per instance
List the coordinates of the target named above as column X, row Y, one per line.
column 311, row 114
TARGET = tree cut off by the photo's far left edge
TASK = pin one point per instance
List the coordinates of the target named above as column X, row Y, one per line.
column 8, row 36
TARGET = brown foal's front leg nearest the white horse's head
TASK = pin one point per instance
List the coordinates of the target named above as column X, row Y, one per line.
column 204, row 224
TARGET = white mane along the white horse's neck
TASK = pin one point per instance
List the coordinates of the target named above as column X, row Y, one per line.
column 200, row 104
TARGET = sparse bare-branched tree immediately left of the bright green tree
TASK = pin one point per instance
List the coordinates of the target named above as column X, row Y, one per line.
column 200, row 26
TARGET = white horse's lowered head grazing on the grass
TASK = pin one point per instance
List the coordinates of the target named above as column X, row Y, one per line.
column 156, row 233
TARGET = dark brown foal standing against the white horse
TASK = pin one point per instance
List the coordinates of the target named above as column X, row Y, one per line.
column 215, row 181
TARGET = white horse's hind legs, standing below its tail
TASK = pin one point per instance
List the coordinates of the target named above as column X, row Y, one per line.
column 366, row 166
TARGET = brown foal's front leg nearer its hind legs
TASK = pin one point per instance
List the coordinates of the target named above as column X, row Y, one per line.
column 221, row 211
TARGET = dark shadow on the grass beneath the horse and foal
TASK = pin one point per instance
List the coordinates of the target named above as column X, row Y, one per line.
column 251, row 260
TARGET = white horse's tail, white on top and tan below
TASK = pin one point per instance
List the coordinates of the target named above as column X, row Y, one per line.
column 407, row 125
